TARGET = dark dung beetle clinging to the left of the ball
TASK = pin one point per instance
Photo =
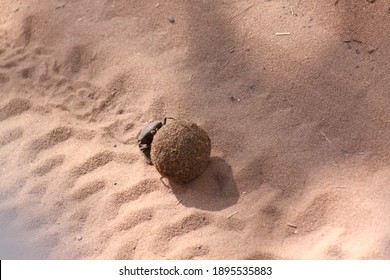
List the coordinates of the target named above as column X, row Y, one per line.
column 146, row 135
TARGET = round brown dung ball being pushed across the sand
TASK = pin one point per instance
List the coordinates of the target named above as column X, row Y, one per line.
column 181, row 151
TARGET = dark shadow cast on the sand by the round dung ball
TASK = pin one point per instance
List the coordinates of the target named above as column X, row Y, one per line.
column 214, row 190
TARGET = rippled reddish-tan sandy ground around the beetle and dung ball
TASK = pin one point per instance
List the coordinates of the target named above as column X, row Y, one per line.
column 299, row 124
